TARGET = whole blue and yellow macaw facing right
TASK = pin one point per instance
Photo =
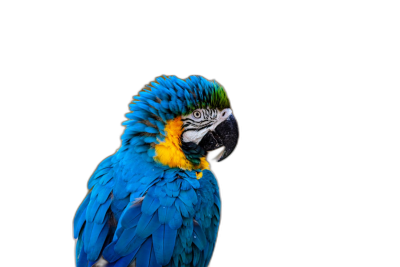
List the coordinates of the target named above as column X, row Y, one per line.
column 155, row 202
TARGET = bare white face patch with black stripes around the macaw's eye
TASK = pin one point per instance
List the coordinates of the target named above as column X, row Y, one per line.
column 201, row 121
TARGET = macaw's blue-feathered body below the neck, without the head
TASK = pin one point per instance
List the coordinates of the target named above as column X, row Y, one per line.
column 139, row 213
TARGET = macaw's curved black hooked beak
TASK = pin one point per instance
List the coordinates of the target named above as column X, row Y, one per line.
column 226, row 134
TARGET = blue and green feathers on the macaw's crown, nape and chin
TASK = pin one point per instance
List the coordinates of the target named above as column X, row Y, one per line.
column 164, row 100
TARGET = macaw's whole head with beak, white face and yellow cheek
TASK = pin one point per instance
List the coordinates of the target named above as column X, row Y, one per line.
column 176, row 122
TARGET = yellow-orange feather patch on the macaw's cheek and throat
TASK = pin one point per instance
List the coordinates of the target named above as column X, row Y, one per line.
column 170, row 153
